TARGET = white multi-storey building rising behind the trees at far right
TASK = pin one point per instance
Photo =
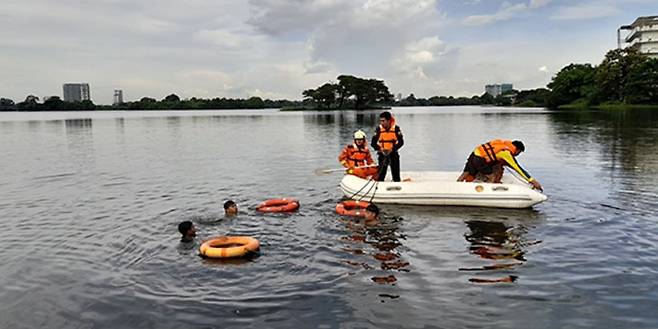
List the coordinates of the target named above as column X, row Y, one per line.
column 642, row 34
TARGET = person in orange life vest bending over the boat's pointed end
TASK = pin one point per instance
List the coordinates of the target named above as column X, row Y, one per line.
column 487, row 161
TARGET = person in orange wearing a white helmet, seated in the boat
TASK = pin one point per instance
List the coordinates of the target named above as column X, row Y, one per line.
column 358, row 155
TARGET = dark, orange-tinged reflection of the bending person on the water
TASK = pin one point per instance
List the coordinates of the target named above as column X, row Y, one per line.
column 502, row 244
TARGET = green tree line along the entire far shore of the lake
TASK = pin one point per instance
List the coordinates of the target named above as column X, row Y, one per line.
column 625, row 76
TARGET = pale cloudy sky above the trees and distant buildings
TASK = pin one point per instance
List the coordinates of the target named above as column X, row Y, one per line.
column 278, row 48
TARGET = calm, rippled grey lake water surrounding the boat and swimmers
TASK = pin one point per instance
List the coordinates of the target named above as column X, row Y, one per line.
column 90, row 202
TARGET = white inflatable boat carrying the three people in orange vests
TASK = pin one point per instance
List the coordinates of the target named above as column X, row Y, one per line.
column 442, row 189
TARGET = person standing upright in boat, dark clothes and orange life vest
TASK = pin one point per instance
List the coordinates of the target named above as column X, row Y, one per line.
column 387, row 141
